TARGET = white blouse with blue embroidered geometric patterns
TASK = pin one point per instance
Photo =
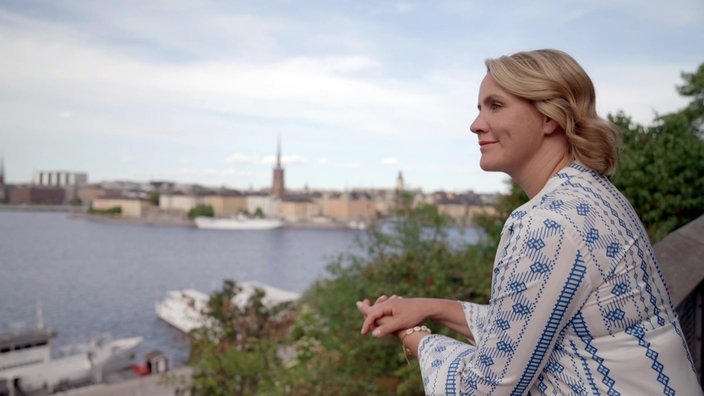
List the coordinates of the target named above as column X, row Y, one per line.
column 578, row 306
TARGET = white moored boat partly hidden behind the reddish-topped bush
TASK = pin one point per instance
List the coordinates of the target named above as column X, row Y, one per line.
column 184, row 309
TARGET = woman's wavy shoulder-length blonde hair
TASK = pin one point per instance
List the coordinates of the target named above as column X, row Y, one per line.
column 560, row 89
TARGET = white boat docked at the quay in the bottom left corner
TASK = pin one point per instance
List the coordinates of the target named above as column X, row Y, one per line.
column 28, row 364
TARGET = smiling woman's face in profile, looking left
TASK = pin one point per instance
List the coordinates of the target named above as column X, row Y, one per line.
column 510, row 130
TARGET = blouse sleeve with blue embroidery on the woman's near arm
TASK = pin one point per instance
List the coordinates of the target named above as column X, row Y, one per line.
column 540, row 281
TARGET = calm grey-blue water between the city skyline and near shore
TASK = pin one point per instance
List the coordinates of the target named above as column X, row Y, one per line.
column 93, row 277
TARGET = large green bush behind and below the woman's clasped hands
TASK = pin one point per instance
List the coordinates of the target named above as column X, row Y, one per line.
column 410, row 256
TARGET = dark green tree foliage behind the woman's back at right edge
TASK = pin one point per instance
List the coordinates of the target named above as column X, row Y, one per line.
column 661, row 168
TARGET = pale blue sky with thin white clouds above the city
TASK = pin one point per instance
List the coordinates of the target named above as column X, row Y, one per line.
column 355, row 91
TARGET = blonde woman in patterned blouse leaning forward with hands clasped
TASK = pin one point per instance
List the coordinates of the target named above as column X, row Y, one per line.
column 578, row 304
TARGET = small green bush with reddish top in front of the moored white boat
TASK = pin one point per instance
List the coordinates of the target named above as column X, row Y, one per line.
column 237, row 352
